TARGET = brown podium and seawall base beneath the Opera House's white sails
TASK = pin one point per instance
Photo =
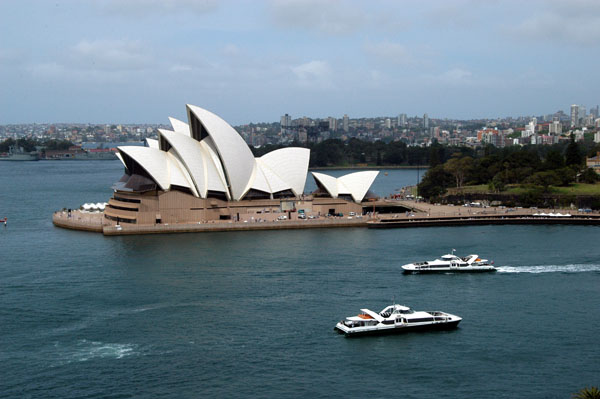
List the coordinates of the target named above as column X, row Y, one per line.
column 177, row 212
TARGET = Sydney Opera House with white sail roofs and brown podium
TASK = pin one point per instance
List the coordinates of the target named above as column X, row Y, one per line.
column 203, row 171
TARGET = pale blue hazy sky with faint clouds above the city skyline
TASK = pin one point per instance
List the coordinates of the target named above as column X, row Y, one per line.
column 141, row 61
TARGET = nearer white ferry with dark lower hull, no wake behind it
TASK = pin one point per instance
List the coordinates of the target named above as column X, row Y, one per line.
column 395, row 319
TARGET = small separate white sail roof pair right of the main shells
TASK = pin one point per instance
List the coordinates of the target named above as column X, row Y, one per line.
column 354, row 184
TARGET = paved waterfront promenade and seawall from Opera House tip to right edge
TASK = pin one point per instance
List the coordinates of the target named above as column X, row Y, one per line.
column 421, row 215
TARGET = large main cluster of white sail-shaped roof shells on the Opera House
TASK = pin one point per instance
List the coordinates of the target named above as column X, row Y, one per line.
column 208, row 155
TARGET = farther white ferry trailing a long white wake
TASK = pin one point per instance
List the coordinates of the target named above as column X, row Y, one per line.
column 451, row 263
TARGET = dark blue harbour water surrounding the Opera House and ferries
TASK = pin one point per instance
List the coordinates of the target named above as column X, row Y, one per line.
column 251, row 314
